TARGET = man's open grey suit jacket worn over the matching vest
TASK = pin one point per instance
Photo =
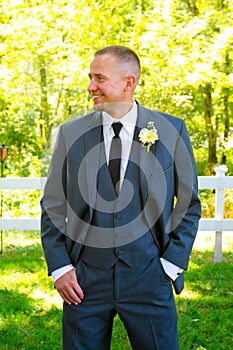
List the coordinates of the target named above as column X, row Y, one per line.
column 171, row 208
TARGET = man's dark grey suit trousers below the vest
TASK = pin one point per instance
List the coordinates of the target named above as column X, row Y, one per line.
column 141, row 295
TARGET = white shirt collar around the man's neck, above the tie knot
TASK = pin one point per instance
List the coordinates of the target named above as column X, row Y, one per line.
column 128, row 120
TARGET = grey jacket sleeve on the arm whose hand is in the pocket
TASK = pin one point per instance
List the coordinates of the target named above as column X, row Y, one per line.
column 183, row 224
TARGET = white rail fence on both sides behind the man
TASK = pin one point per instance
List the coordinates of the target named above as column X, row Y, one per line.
column 218, row 224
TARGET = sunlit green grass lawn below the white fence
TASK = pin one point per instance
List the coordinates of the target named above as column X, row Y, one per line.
column 30, row 309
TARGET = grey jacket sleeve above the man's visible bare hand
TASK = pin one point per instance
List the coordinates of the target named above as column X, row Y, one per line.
column 54, row 210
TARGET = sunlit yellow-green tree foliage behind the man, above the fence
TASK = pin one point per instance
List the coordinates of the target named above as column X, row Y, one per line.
column 46, row 47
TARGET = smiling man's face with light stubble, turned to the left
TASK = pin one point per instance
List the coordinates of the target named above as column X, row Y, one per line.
column 107, row 83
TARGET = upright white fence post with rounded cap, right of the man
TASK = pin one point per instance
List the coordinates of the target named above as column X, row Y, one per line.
column 219, row 212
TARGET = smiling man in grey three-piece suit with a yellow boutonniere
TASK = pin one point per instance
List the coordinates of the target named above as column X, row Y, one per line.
column 117, row 229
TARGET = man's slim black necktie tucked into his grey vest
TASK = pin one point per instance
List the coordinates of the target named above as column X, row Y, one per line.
column 114, row 164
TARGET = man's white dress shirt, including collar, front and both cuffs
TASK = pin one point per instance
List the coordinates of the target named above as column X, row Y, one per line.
column 126, row 134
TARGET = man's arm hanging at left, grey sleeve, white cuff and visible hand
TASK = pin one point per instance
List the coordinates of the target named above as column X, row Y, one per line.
column 53, row 227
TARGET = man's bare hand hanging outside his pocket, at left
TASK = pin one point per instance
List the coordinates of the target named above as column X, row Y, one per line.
column 68, row 288
